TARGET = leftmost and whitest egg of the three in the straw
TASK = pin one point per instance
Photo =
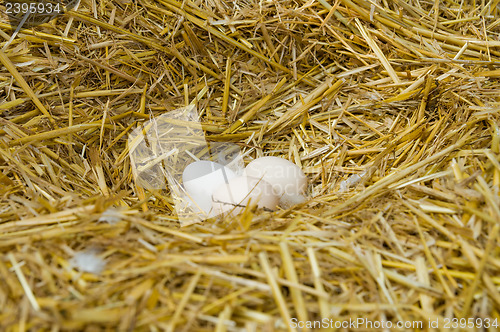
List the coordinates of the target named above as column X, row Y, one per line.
column 201, row 179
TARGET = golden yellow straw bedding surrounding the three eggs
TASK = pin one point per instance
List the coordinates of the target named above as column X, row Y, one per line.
column 390, row 107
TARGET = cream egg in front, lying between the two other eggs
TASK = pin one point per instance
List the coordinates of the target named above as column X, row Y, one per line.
column 235, row 195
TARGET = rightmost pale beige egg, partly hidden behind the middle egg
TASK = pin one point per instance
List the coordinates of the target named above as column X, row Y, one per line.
column 287, row 179
